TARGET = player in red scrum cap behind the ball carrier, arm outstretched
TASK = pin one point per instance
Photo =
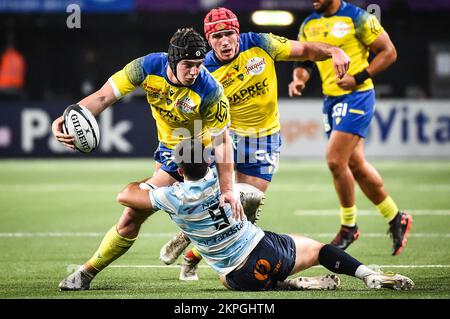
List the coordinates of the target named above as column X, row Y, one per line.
column 245, row 65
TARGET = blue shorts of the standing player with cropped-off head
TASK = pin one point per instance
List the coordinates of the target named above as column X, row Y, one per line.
column 350, row 113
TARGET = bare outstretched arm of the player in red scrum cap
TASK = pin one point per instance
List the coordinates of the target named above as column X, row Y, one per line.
column 316, row 51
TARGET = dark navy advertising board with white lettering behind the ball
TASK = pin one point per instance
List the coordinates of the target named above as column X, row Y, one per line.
column 126, row 130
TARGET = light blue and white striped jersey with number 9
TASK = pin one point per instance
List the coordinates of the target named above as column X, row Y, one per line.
column 223, row 242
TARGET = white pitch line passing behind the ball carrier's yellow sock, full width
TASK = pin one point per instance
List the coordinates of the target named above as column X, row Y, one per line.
column 95, row 234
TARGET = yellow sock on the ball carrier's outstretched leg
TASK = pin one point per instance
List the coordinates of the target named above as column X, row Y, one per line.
column 112, row 247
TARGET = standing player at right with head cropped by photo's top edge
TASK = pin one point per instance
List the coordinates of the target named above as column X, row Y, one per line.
column 349, row 104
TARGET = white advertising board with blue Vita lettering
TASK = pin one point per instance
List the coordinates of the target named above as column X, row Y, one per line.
column 400, row 128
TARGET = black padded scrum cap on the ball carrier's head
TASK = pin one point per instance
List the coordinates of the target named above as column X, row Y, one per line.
column 185, row 44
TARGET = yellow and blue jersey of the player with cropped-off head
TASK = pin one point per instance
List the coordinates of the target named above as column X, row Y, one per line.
column 352, row 29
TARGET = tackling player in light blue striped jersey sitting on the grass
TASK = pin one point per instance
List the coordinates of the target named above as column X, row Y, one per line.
column 245, row 256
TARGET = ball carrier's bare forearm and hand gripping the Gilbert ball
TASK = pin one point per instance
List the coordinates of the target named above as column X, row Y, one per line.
column 96, row 103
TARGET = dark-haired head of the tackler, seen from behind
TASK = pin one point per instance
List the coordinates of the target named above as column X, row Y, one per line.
column 192, row 157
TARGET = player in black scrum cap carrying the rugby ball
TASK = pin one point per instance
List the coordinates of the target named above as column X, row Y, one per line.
column 186, row 101
